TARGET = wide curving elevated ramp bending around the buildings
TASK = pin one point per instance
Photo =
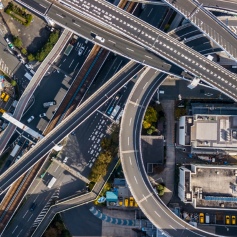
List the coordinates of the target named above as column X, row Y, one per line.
column 131, row 158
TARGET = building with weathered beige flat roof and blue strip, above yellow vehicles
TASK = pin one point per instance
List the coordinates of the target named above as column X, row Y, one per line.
column 208, row 187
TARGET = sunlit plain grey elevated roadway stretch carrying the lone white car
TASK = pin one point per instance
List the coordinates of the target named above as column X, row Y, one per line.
column 113, row 42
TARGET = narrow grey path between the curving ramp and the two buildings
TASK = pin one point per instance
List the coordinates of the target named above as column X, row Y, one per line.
column 167, row 175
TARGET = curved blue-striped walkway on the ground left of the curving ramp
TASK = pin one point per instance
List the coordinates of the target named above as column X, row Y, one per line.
column 112, row 220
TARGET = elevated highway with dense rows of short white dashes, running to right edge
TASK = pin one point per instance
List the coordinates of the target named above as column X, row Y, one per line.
column 158, row 42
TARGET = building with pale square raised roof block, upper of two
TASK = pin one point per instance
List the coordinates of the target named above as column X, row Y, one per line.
column 209, row 134
